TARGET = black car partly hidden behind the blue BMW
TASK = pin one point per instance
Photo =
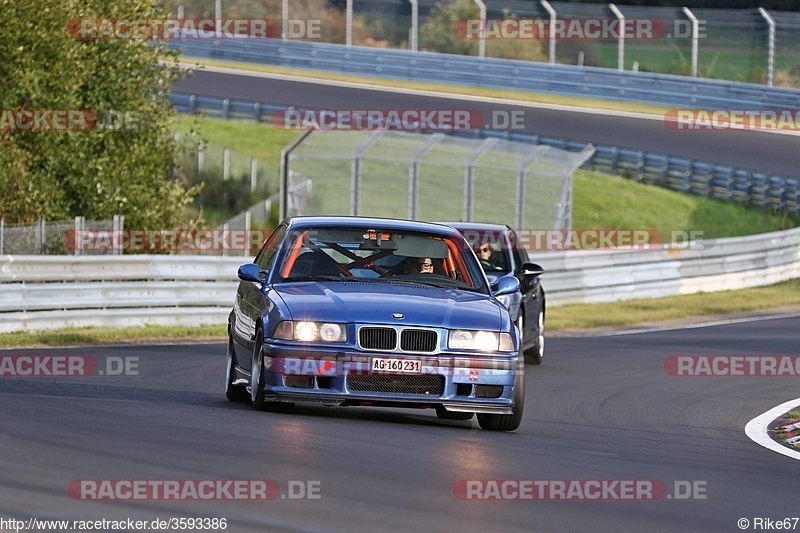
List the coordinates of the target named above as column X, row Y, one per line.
column 500, row 252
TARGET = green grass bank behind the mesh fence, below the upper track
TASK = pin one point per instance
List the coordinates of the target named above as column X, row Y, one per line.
column 599, row 200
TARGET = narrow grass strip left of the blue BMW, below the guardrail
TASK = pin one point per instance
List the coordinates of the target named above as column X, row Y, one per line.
column 100, row 336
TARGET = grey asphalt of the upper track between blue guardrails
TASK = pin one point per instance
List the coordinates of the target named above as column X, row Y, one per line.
column 762, row 151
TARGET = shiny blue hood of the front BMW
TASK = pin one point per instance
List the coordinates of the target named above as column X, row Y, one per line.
column 375, row 302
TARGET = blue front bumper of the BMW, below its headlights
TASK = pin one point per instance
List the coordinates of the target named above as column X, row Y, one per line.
column 458, row 381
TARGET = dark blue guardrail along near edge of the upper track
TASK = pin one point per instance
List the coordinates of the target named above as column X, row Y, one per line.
column 703, row 178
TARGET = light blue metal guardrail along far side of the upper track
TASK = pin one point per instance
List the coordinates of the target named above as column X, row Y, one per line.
column 593, row 82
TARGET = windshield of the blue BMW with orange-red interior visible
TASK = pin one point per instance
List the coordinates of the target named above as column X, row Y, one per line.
column 375, row 254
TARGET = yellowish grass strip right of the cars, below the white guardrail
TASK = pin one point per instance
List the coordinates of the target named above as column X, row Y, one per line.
column 585, row 316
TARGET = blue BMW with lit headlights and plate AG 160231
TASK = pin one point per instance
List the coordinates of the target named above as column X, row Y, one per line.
column 346, row 311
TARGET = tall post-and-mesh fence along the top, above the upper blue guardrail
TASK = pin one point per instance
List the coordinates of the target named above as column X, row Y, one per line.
column 732, row 43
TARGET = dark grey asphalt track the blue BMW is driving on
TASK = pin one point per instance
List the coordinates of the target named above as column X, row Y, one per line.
column 599, row 408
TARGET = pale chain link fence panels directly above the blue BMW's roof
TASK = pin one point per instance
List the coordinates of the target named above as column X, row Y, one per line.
column 432, row 177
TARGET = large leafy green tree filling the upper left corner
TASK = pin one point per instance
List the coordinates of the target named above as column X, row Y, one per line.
column 110, row 169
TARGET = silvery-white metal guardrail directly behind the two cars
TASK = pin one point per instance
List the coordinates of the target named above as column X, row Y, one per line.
column 193, row 290
